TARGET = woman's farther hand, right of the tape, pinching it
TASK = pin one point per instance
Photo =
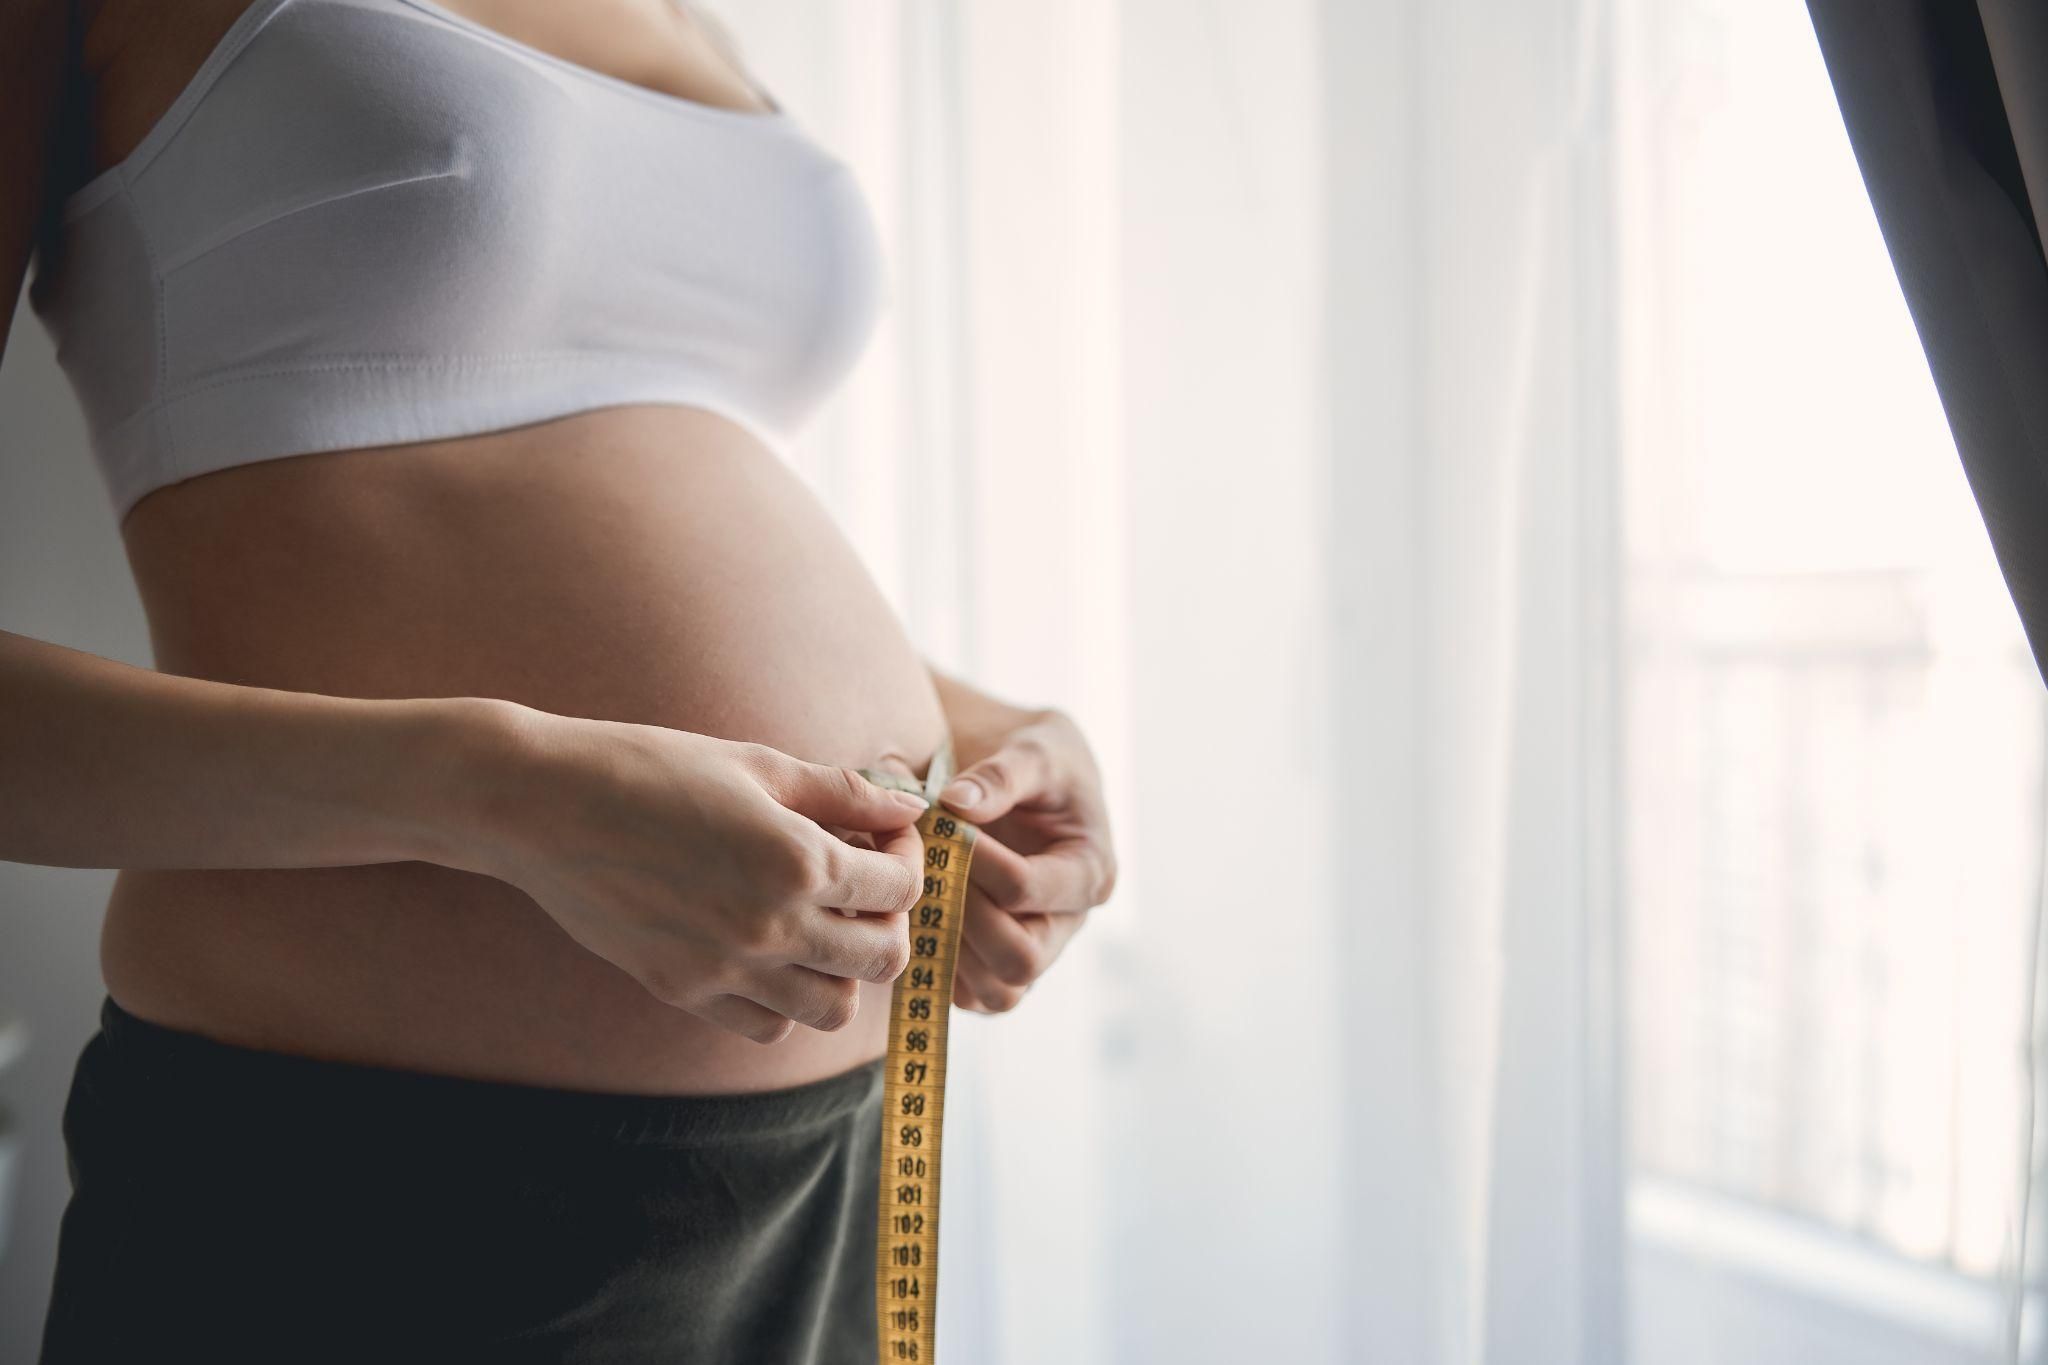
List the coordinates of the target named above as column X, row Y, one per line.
column 1041, row 861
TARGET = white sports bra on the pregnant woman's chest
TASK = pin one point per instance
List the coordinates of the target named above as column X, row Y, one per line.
column 376, row 222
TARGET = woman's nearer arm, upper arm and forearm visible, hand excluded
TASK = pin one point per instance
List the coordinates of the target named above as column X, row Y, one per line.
column 108, row 766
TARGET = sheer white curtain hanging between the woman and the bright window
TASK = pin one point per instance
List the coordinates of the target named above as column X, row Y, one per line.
column 1248, row 349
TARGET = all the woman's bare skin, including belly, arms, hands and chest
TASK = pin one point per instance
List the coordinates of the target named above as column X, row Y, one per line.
column 634, row 865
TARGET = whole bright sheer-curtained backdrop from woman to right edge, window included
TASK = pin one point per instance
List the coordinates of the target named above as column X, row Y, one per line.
column 1263, row 386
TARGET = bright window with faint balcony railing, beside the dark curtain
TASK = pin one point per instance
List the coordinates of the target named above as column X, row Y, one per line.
column 1834, row 728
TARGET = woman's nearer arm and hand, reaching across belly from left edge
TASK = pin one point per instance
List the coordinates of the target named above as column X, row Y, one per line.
column 703, row 869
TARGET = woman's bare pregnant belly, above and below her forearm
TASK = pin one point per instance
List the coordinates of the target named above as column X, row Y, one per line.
column 636, row 564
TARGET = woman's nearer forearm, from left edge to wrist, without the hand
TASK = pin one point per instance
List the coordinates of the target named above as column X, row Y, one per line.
column 112, row 766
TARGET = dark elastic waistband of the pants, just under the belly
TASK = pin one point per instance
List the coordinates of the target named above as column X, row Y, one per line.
column 177, row 1075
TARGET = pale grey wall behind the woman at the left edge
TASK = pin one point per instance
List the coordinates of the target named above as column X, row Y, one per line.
column 62, row 578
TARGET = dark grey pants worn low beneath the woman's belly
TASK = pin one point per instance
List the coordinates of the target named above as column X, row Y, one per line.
column 251, row 1206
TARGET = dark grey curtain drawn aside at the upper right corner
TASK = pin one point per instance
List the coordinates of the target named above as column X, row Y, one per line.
column 1947, row 105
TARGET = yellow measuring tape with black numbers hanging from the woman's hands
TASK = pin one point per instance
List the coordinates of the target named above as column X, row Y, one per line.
column 914, row 1088
